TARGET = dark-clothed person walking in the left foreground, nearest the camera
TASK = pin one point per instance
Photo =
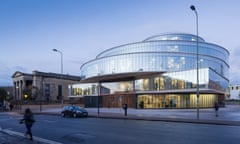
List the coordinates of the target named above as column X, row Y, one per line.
column 28, row 119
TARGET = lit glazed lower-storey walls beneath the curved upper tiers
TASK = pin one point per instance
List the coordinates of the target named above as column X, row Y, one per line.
column 153, row 92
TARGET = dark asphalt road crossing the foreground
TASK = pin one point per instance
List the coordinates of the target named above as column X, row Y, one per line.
column 114, row 131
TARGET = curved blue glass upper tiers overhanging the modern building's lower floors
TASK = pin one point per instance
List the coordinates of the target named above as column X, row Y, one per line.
column 158, row 55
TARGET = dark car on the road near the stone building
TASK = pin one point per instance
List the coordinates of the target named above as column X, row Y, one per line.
column 74, row 111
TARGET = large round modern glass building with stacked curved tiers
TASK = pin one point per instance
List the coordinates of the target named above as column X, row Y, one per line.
column 158, row 72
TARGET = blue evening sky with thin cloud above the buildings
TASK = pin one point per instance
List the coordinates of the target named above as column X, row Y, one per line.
column 81, row 29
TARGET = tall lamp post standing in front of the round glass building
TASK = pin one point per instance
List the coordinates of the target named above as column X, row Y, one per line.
column 195, row 11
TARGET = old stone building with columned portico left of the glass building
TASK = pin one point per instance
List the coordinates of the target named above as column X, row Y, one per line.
column 42, row 86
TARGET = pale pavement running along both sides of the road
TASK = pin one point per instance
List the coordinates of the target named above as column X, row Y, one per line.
column 229, row 115
